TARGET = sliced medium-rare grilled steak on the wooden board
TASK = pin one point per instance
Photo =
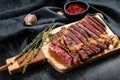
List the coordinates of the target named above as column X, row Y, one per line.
column 80, row 41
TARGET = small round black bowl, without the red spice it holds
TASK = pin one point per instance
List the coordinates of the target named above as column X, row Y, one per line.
column 85, row 5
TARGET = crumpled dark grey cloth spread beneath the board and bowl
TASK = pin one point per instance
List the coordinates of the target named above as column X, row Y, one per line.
column 14, row 36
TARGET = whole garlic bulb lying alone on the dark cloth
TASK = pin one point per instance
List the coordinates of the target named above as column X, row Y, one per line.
column 30, row 19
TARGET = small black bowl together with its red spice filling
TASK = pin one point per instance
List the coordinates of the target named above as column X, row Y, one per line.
column 76, row 8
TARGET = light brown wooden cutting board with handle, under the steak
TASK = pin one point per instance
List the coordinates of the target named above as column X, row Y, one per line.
column 46, row 55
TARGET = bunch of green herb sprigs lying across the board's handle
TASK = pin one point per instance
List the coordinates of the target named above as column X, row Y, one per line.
column 34, row 47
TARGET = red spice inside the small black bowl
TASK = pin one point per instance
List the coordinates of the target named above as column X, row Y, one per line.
column 75, row 8
